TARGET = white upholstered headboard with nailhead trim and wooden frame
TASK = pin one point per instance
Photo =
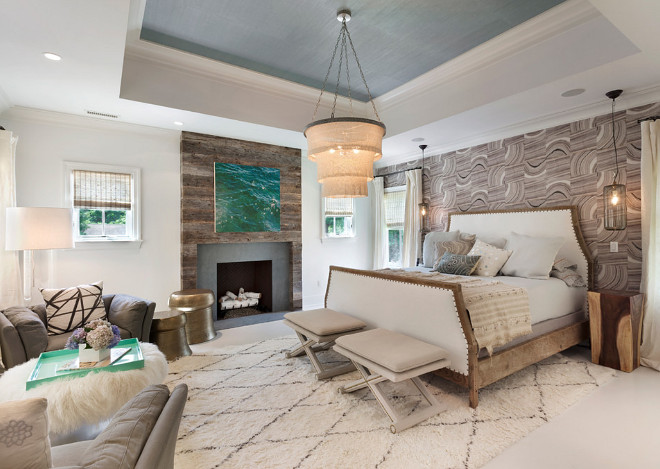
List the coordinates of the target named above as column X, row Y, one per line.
column 550, row 221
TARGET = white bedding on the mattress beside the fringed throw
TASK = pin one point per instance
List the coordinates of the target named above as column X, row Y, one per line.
column 548, row 299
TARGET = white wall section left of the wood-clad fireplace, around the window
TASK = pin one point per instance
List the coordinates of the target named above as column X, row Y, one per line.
column 47, row 139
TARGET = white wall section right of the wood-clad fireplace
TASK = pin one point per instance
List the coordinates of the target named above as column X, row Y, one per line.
column 319, row 254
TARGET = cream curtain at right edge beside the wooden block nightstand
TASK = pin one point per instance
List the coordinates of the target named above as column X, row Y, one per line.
column 650, row 350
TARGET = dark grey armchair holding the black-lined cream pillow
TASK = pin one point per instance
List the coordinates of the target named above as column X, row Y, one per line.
column 23, row 333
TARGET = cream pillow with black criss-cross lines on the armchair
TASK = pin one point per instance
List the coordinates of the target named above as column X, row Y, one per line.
column 70, row 308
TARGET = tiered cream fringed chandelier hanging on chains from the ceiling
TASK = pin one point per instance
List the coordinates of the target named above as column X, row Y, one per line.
column 344, row 148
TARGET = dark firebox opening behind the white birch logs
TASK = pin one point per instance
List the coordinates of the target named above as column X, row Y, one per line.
column 251, row 276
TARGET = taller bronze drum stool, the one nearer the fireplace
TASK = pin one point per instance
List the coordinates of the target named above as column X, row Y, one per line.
column 196, row 304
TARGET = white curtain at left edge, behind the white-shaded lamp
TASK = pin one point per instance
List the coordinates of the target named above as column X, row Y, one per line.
column 10, row 275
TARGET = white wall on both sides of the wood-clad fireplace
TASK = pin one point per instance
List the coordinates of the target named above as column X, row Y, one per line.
column 47, row 139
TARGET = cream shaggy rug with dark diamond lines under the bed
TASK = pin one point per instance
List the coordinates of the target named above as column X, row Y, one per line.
column 249, row 406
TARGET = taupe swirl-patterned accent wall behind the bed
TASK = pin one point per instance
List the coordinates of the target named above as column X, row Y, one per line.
column 567, row 164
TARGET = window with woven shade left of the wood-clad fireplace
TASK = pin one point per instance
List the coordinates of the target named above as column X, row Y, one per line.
column 104, row 202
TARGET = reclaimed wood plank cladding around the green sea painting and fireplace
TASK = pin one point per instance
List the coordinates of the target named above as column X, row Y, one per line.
column 198, row 153
